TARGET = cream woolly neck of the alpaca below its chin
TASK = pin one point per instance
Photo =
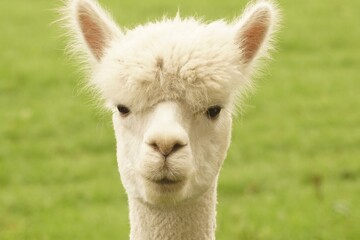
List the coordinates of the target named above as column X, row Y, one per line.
column 195, row 220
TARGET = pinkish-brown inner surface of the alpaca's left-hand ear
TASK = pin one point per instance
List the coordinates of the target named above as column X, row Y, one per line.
column 93, row 32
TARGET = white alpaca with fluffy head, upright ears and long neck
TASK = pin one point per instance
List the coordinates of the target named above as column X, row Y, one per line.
column 173, row 86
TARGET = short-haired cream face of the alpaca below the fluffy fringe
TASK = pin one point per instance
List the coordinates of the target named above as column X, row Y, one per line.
column 165, row 157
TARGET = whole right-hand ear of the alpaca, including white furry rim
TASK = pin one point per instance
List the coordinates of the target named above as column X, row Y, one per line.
column 255, row 29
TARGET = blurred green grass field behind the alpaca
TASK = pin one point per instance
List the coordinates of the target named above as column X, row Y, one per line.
column 293, row 171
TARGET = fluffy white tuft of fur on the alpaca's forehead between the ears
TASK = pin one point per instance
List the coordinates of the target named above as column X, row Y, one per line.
column 174, row 59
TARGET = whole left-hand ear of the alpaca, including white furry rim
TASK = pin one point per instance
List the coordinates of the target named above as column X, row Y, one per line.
column 93, row 28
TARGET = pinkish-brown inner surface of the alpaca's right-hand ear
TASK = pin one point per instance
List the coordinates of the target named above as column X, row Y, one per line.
column 253, row 34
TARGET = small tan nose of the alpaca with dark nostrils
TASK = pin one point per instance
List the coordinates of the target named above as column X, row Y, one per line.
column 167, row 146
